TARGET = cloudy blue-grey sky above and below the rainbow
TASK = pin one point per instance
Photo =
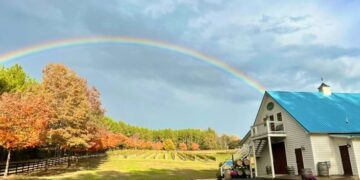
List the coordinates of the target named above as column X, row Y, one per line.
column 283, row 45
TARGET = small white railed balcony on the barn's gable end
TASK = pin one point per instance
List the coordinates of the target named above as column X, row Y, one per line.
column 269, row 127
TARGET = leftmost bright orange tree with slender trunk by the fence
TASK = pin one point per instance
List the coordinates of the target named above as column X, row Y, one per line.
column 23, row 122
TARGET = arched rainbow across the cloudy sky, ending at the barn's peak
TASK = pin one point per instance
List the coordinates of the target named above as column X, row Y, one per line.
column 216, row 63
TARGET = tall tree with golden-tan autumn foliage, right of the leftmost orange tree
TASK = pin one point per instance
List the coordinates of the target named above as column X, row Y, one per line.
column 68, row 98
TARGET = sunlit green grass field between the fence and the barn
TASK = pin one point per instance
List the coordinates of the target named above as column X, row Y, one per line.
column 132, row 164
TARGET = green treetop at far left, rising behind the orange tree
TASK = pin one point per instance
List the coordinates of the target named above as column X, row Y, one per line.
column 14, row 79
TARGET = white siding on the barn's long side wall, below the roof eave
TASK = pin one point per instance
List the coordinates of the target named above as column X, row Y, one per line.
column 326, row 148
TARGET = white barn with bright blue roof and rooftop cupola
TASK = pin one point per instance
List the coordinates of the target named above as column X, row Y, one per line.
column 301, row 129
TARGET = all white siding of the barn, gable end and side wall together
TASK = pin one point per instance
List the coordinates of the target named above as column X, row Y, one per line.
column 318, row 147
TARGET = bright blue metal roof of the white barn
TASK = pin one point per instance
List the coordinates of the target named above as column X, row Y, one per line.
column 337, row 113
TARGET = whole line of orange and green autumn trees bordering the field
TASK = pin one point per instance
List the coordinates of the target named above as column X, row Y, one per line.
column 63, row 114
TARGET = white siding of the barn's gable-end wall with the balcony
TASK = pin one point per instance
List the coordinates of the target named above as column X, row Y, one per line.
column 296, row 137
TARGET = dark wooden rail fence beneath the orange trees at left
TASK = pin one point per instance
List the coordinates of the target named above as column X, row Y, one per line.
column 29, row 166
